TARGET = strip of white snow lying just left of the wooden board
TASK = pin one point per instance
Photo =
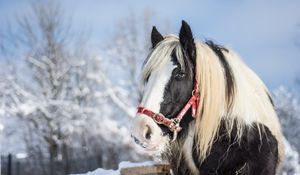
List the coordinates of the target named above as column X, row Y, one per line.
column 124, row 164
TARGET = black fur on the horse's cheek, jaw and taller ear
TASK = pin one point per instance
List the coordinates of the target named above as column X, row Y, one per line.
column 180, row 79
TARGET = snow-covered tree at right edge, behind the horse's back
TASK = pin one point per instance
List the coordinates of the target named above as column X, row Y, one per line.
column 288, row 108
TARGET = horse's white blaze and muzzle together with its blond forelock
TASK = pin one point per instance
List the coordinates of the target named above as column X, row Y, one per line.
column 158, row 70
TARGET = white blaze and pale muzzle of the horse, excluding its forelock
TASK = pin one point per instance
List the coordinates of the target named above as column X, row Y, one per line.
column 152, row 98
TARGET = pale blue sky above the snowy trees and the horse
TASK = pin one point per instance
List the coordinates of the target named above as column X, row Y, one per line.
column 263, row 32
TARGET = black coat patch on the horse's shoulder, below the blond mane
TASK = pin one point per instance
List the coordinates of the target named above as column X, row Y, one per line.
column 251, row 156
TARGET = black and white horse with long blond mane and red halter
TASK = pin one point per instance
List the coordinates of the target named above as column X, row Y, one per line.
column 204, row 110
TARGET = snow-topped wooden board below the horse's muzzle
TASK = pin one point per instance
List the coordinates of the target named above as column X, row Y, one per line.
column 159, row 169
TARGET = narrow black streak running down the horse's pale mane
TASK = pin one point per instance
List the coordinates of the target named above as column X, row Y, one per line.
column 230, row 84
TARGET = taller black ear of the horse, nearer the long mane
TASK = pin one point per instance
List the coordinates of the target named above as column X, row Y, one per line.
column 187, row 41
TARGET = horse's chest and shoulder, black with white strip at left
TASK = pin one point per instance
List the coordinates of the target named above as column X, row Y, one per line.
column 253, row 155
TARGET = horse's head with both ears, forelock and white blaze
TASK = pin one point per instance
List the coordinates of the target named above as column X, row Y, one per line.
column 168, row 77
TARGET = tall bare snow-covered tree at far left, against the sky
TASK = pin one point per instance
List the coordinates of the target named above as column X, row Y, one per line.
column 52, row 92
